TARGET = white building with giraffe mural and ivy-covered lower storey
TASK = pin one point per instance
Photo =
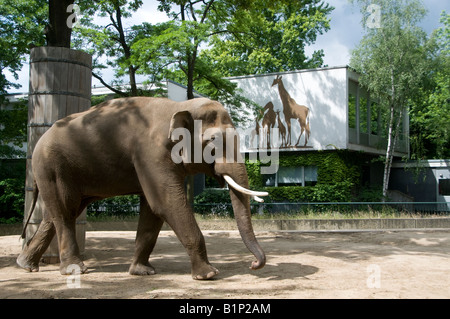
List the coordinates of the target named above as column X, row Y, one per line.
column 324, row 133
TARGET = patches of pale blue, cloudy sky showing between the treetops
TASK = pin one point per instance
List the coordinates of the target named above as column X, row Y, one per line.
column 345, row 32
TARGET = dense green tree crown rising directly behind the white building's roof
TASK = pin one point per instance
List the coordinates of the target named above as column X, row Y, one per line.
column 270, row 37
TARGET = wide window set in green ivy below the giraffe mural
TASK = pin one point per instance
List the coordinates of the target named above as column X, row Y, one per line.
column 292, row 176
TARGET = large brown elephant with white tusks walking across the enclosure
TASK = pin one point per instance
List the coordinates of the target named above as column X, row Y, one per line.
column 123, row 146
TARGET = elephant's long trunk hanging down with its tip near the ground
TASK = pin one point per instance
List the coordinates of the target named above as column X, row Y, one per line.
column 241, row 207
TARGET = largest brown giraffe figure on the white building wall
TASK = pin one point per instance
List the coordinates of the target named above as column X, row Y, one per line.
column 292, row 110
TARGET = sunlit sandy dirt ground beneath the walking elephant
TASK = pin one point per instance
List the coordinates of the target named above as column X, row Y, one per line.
column 390, row 264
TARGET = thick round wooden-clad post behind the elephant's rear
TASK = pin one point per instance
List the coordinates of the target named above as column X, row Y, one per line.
column 60, row 85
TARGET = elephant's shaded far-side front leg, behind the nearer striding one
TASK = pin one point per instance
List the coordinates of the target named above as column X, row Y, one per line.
column 148, row 230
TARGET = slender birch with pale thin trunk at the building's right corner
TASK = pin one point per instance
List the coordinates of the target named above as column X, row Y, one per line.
column 393, row 61
